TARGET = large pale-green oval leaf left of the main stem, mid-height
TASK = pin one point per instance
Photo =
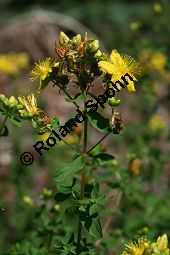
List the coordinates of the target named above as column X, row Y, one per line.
column 70, row 168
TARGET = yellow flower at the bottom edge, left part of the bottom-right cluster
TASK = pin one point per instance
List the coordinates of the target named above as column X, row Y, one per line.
column 138, row 248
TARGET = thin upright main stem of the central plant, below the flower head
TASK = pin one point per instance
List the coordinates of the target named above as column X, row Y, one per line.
column 83, row 179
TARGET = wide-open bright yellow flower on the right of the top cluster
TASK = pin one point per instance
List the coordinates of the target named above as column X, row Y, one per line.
column 118, row 66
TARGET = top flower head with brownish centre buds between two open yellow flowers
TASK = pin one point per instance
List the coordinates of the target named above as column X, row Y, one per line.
column 81, row 62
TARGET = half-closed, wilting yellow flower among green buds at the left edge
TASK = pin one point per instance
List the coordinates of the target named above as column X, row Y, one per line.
column 30, row 104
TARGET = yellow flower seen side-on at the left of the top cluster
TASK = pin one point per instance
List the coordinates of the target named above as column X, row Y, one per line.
column 42, row 70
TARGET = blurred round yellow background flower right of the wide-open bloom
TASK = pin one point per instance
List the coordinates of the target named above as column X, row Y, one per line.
column 158, row 61
